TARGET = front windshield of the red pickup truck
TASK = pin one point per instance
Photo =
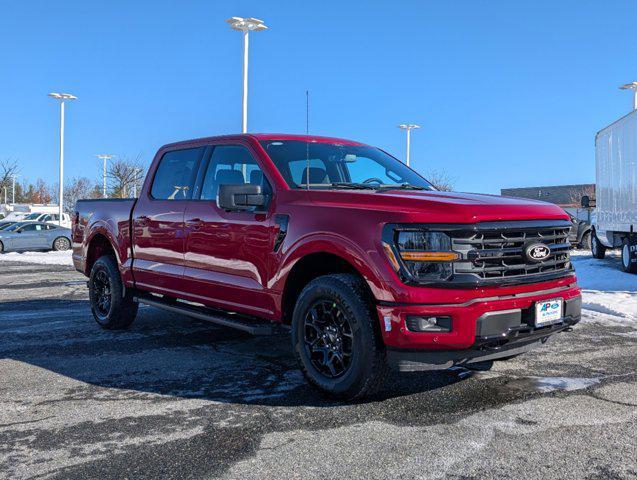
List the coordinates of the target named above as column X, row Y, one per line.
column 329, row 165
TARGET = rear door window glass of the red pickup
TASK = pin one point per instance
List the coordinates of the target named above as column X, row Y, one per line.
column 175, row 174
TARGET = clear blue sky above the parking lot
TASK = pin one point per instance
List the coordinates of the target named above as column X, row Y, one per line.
column 508, row 93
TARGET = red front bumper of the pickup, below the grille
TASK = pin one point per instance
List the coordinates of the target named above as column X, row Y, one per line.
column 482, row 328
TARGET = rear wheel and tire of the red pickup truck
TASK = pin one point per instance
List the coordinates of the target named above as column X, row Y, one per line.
column 112, row 305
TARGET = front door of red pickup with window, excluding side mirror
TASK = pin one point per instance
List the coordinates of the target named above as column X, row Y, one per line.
column 226, row 252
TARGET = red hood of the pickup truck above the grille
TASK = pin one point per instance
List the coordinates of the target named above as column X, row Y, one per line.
column 439, row 207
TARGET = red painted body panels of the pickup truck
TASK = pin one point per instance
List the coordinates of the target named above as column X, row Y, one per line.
column 193, row 250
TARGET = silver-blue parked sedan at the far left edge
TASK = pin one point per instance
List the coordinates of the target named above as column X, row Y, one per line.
column 23, row 236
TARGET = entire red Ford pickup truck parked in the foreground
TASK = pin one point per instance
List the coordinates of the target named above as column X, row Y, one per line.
column 364, row 261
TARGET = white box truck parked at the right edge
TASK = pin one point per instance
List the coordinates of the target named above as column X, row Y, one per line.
column 615, row 220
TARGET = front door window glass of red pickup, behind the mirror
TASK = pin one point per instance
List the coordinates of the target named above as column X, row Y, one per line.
column 231, row 164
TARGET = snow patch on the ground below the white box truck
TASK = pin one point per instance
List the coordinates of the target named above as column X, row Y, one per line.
column 609, row 295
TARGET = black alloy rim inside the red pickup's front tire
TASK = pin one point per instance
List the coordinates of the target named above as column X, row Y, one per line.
column 328, row 338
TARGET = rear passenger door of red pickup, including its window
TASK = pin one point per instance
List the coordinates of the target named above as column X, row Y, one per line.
column 158, row 222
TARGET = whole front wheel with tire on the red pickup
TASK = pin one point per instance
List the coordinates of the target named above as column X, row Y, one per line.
column 335, row 314
